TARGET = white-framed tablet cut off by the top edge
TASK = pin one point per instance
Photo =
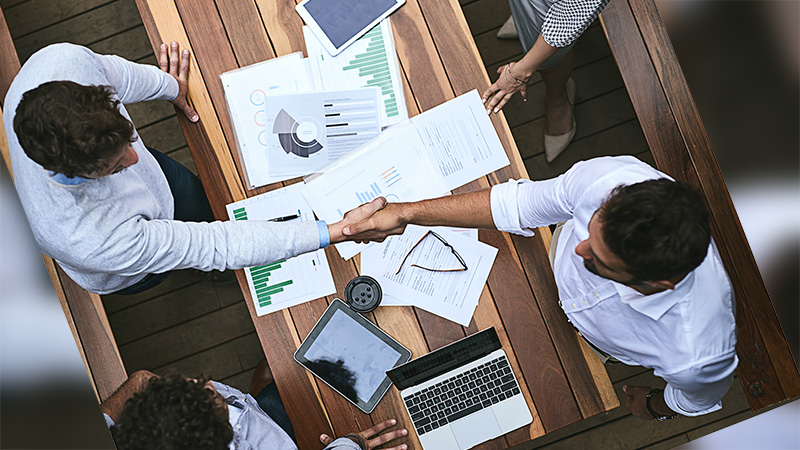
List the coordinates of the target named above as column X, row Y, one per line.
column 337, row 23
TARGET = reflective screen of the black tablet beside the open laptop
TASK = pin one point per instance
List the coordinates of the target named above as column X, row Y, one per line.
column 350, row 358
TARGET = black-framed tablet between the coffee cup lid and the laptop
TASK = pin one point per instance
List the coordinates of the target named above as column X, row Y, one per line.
column 351, row 355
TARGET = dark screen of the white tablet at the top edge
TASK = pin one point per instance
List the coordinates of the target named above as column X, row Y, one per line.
column 340, row 20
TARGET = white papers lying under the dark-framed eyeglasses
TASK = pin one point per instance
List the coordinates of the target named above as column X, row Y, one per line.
column 452, row 295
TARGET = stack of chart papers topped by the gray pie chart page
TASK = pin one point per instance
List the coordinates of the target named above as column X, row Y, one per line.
column 291, row 115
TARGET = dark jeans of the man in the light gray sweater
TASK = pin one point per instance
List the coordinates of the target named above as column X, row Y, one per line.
column 191, row 205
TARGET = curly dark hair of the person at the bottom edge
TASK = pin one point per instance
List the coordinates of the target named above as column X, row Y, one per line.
column 173, row 413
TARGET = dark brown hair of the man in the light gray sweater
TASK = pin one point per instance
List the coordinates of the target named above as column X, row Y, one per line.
column 71, row 129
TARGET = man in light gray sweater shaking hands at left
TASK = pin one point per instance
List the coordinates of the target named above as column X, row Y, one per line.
column 104, row 206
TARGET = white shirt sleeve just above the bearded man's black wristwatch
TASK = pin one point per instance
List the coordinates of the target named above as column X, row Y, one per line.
column 699, row 389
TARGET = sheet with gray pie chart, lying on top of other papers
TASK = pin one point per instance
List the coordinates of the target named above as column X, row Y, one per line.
column 310, row 130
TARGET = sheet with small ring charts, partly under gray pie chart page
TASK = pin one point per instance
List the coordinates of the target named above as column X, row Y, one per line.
column 246, row 91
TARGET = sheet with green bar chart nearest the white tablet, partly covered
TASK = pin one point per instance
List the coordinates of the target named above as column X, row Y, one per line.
column 369, row 61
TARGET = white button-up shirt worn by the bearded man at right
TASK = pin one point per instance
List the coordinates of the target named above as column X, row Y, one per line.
column 687, row 335
